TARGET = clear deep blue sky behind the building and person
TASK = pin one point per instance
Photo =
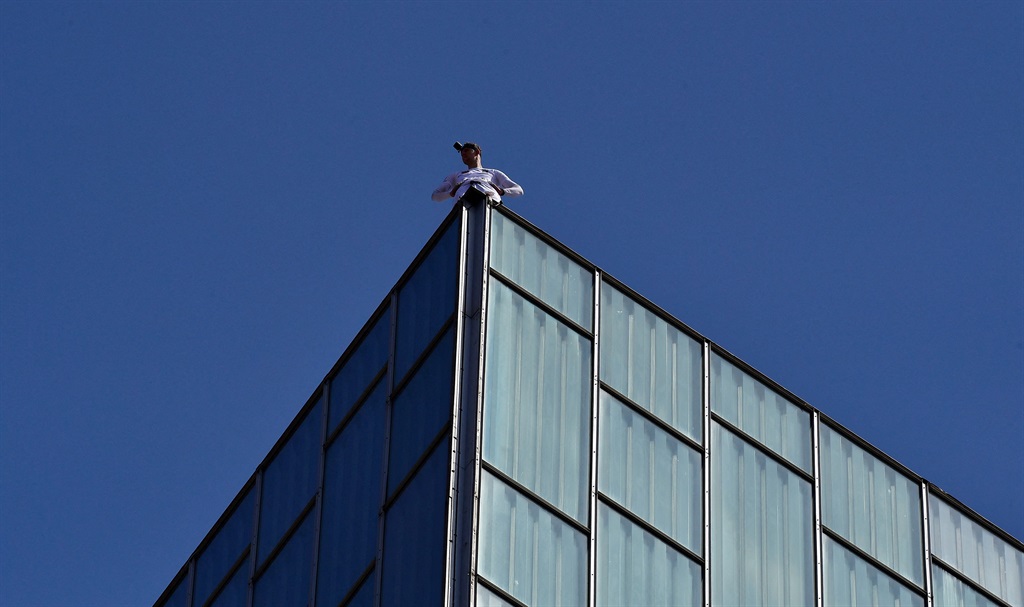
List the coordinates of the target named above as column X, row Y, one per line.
column 202, row 203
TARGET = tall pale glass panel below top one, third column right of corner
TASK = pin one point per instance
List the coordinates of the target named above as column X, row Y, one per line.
column 761, row 543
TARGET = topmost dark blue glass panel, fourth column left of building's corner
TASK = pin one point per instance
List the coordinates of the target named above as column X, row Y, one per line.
column 226, row 549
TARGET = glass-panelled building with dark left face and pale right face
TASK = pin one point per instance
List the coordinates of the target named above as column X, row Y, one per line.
column 515, row 427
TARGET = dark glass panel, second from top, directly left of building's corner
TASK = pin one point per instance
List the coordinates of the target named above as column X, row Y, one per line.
column 422, row 409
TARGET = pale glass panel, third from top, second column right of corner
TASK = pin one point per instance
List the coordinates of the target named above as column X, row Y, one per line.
column 634, row 568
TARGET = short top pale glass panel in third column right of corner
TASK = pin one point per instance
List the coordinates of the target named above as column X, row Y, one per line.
column 749, row 405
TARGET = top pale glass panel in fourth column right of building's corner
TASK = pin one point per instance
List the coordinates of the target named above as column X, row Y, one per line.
column 872, row 505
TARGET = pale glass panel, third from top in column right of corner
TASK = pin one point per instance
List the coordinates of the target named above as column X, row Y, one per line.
column 529, row 552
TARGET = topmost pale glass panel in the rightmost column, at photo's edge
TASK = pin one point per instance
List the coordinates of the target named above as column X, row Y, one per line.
column 976, row 552
